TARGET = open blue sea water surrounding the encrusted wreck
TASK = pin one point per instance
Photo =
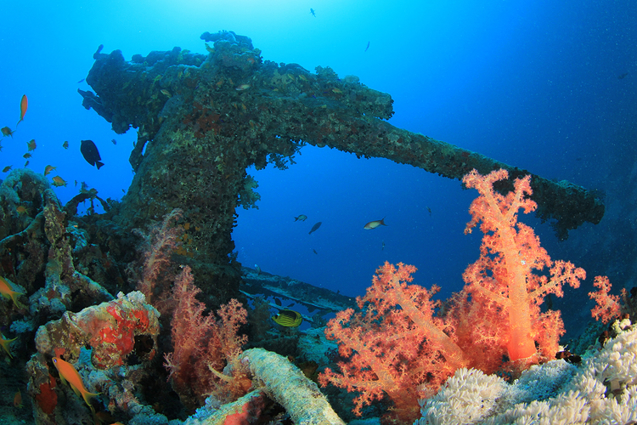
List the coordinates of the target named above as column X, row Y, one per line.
column 546, row 86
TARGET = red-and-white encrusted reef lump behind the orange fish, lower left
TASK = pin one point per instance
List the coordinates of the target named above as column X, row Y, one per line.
column 114, row 331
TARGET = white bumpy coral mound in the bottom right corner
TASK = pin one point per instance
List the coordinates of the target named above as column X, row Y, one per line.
column 602, row 390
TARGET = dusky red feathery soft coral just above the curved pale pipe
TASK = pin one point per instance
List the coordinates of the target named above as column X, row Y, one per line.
column 203, row 346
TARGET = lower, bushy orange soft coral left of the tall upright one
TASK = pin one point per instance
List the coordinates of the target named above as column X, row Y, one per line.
column 394, row 344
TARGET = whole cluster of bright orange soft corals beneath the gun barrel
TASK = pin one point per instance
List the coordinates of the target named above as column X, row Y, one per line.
column 401, row 340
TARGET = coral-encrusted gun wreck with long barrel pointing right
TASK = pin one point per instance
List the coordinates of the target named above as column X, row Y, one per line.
column 208, row 122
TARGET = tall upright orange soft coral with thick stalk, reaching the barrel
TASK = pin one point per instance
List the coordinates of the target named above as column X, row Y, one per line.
column 504, row 274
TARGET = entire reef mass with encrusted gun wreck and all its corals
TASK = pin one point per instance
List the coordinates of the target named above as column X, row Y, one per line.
column 203, row 119
